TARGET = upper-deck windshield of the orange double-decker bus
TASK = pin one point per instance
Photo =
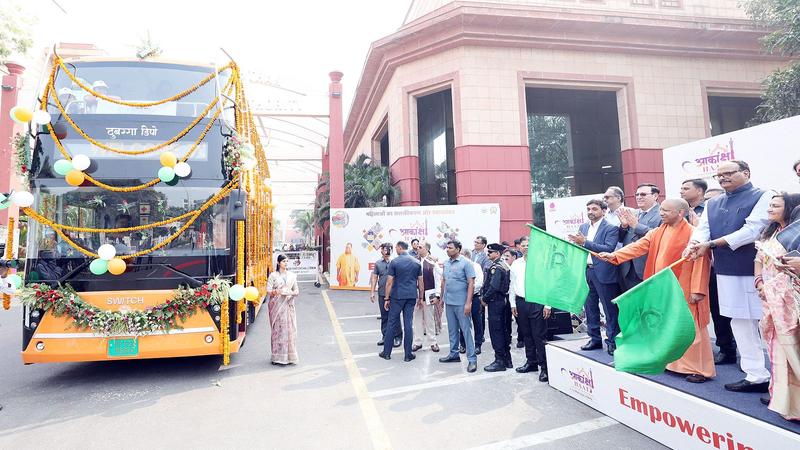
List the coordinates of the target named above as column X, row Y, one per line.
column 136, row 82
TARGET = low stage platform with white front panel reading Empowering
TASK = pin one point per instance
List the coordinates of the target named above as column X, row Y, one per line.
column 666, row 408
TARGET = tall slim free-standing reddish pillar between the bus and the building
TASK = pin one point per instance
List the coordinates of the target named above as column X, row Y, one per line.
column 336, row 141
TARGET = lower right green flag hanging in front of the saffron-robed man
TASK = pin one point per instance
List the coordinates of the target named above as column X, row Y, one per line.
column 656, row 326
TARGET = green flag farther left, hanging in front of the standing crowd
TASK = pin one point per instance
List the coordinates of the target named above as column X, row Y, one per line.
column 555, row 272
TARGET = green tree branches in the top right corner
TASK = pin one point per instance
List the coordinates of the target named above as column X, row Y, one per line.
column 781, row 97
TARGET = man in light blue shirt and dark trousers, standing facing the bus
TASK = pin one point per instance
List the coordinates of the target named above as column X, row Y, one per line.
column 458, row 284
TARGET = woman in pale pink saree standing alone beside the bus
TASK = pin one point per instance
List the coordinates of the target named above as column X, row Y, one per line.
column 282, row 290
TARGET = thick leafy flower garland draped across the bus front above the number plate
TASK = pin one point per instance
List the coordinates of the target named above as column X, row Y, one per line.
column 65, row 301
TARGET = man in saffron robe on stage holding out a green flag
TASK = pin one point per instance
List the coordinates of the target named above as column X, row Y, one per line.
column 663, row 246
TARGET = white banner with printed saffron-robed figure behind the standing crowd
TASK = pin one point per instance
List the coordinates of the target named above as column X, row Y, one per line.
column 357, row 233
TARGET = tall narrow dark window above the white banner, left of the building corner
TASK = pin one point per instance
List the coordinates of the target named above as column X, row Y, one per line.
column 437, row 162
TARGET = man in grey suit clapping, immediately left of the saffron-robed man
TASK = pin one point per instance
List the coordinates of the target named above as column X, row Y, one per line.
column 634, row 225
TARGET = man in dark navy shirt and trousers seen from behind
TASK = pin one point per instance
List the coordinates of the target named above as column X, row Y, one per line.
column 403, row 288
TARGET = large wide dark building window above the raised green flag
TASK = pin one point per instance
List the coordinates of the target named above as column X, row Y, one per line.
column 573, row 136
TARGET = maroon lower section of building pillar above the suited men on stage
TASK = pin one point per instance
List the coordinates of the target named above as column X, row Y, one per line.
column 643, row 165
